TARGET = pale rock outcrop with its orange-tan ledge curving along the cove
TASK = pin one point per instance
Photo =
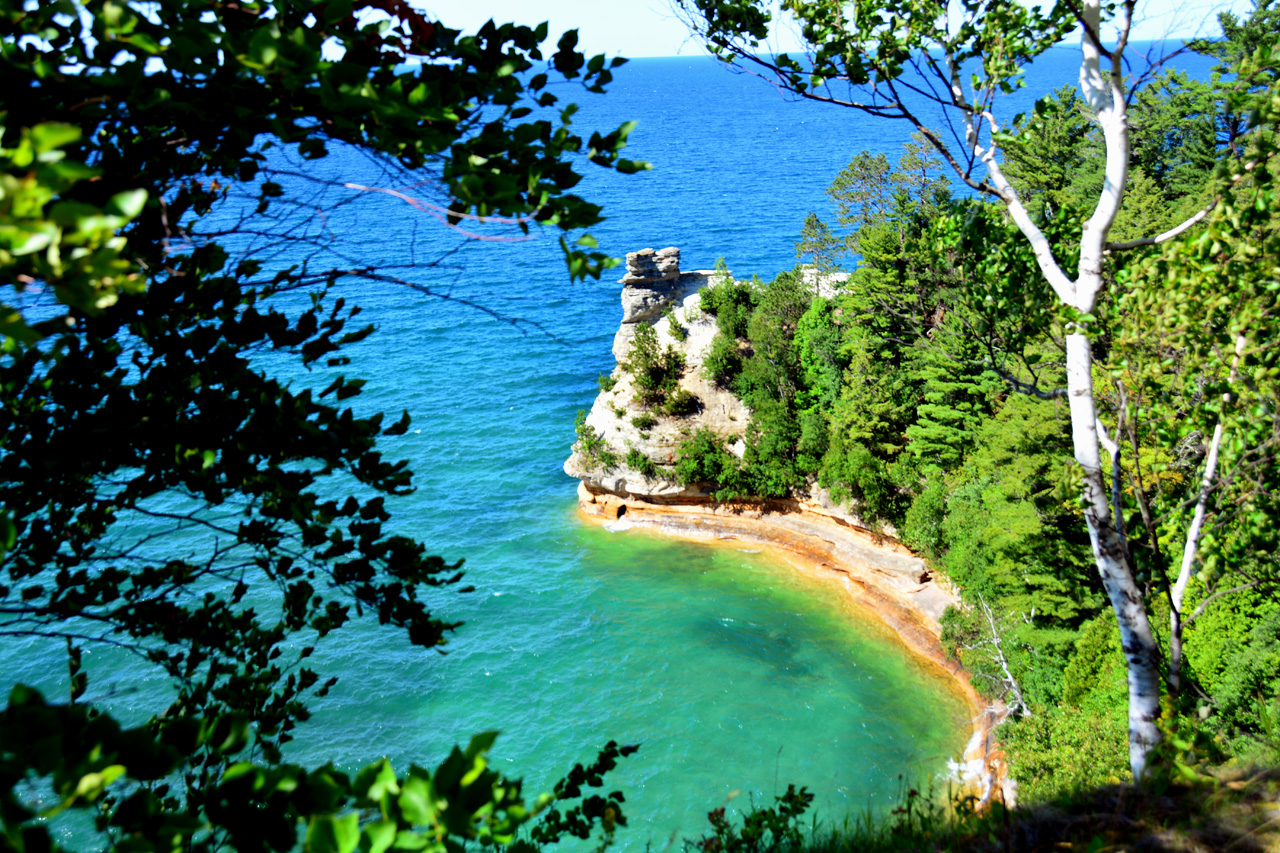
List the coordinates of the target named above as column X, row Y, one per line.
column 816, row 535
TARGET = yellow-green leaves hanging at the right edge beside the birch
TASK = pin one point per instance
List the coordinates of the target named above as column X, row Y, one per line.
column 1208, row 298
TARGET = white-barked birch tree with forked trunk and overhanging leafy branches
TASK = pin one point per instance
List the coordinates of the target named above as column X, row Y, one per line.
column 904, row 60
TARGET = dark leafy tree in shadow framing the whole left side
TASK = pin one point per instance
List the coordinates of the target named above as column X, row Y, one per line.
column 162, row 491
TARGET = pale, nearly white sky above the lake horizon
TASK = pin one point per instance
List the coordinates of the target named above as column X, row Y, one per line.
column 651, row 29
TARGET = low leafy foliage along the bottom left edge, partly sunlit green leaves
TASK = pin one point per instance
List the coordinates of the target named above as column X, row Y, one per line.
column 92, row 761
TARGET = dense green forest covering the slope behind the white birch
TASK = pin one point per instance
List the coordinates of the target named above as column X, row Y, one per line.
column 927, row 390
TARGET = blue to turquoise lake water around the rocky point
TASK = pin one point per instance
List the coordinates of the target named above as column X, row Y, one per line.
column 732, row 670
